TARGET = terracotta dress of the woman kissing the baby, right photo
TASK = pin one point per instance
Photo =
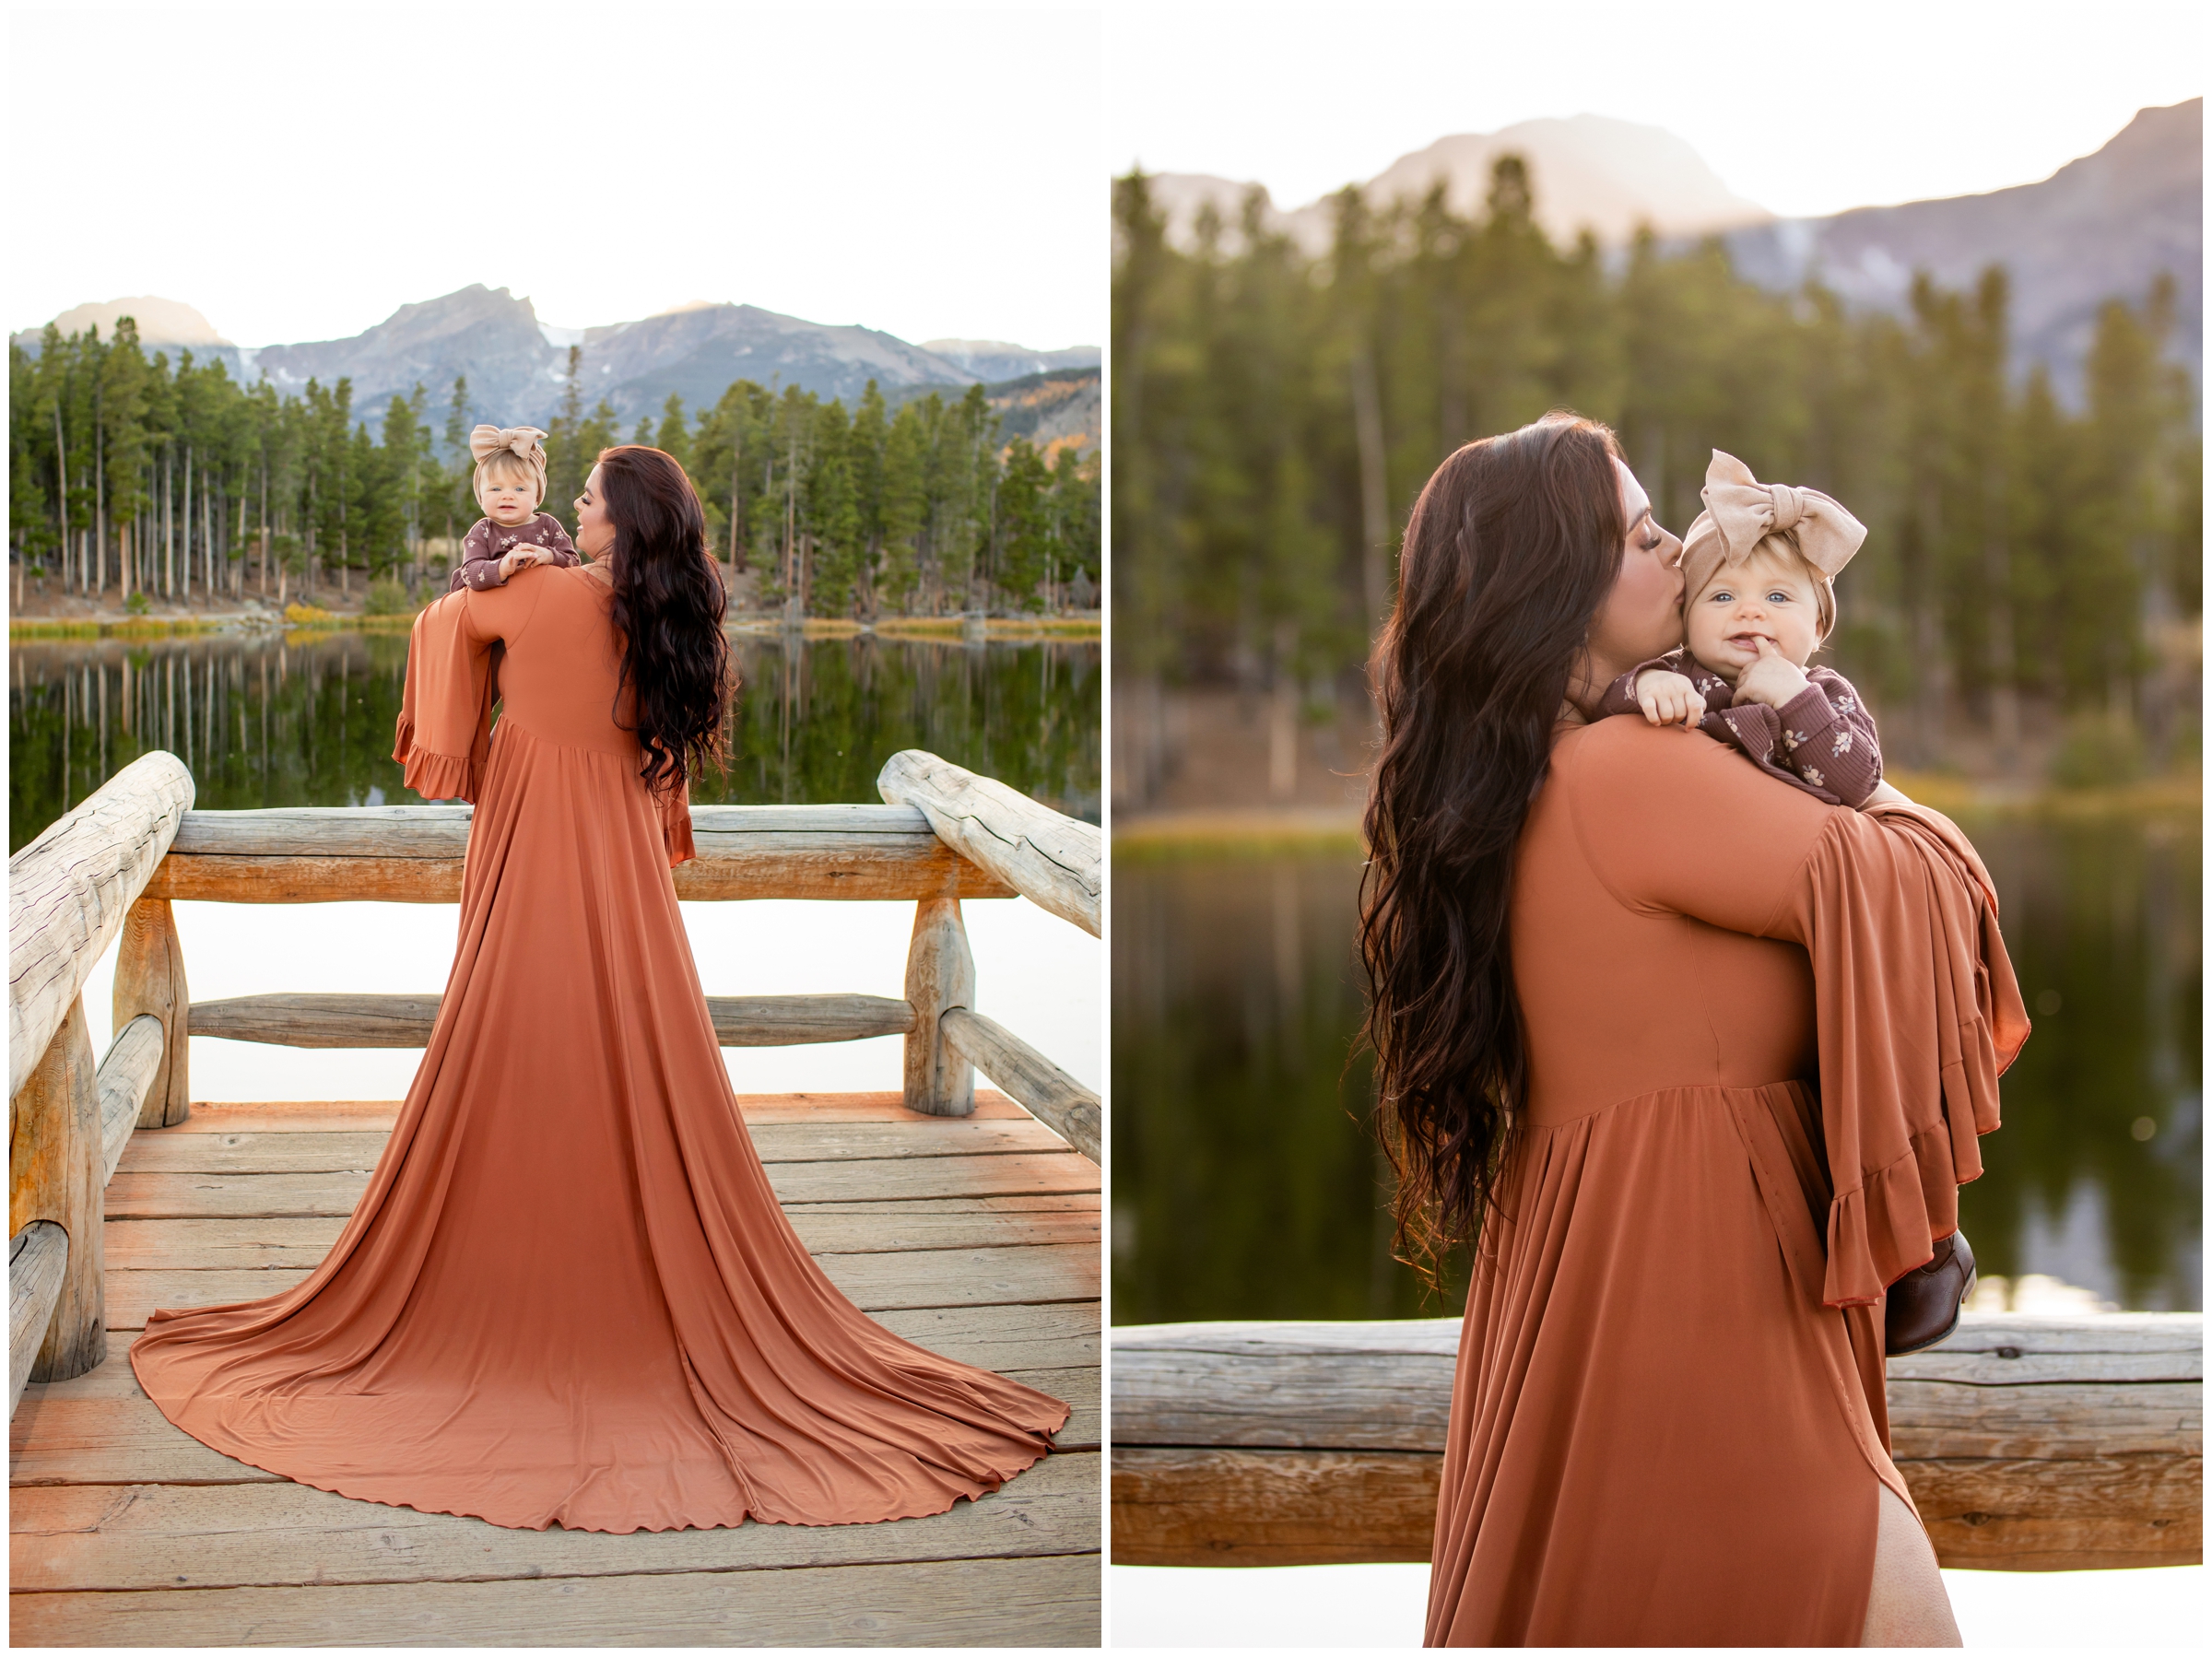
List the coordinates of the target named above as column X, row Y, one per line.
column 1764, row 1036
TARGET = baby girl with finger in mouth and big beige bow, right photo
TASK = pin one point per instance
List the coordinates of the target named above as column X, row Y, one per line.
column 1760, row 596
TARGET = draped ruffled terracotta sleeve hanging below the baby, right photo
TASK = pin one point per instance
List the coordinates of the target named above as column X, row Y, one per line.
column 1919, row 1017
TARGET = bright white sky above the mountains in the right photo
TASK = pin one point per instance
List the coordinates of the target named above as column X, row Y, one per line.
column 1806, row 107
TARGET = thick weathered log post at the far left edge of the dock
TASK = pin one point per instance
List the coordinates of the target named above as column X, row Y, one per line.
column 59, row 1174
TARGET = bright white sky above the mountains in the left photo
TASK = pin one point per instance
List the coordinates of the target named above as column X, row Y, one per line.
column 300, row 171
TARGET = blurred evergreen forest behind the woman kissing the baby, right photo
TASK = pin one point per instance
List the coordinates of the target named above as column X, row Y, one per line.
column 2034, row 561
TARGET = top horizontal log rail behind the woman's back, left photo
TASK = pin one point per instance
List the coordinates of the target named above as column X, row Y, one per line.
column 415, row 855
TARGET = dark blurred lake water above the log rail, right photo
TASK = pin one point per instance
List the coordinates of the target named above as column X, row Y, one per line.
column 1246, row 1182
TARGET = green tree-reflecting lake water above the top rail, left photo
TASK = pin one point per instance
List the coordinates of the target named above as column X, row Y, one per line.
column 306, row 720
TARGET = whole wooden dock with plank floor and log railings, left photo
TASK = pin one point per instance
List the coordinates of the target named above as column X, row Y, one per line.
column 954, row 1216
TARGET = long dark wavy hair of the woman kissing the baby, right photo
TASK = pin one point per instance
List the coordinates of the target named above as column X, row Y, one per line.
column 1510, row 554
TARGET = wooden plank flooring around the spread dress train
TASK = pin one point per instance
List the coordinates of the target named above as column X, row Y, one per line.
column 977, row 1238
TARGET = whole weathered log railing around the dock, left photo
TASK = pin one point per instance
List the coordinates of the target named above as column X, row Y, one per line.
column 116, row 866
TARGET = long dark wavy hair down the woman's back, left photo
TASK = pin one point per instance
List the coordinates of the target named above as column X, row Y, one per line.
column 669, row 607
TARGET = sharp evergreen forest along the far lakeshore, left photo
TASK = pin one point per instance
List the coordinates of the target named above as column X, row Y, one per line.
column 136, row 479
